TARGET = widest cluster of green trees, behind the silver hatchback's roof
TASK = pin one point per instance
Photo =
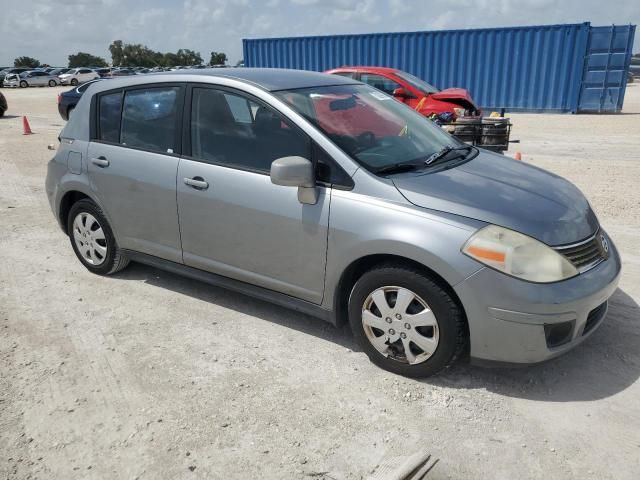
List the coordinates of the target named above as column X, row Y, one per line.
column 138, row 55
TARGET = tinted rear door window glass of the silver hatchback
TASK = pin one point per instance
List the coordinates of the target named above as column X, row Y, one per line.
column 149, row 119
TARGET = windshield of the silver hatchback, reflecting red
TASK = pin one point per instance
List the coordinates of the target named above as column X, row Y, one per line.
column 369, row 125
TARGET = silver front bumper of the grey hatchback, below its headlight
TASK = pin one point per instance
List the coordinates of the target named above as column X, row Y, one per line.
column 507, row 316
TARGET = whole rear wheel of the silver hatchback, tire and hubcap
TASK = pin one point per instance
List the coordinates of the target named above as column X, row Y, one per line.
column 92, row 239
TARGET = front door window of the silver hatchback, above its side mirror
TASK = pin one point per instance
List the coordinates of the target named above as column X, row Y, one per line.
column 233, row 130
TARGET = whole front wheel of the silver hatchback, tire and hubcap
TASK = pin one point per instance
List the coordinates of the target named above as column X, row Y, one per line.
column 405, row 322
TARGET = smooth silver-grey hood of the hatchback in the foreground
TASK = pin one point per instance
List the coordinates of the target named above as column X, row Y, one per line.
column 498, row 190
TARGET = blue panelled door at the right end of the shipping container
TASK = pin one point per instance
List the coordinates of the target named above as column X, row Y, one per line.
column 605, row 68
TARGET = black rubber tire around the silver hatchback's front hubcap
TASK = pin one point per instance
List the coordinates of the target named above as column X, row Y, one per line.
column 450, row 318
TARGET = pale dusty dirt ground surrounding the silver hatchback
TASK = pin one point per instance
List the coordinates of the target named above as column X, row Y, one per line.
column 149, row 375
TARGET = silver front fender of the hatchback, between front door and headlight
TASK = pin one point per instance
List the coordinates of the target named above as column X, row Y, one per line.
column 362, row 225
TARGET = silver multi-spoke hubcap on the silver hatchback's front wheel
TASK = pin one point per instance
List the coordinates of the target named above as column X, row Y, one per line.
column 400, row 325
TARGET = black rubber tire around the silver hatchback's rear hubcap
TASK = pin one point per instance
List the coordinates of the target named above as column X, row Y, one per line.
column 114, row 260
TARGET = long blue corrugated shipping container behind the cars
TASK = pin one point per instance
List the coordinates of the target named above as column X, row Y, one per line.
column 535, row 68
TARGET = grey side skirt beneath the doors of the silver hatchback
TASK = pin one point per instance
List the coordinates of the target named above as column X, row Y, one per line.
column 260, row 293
